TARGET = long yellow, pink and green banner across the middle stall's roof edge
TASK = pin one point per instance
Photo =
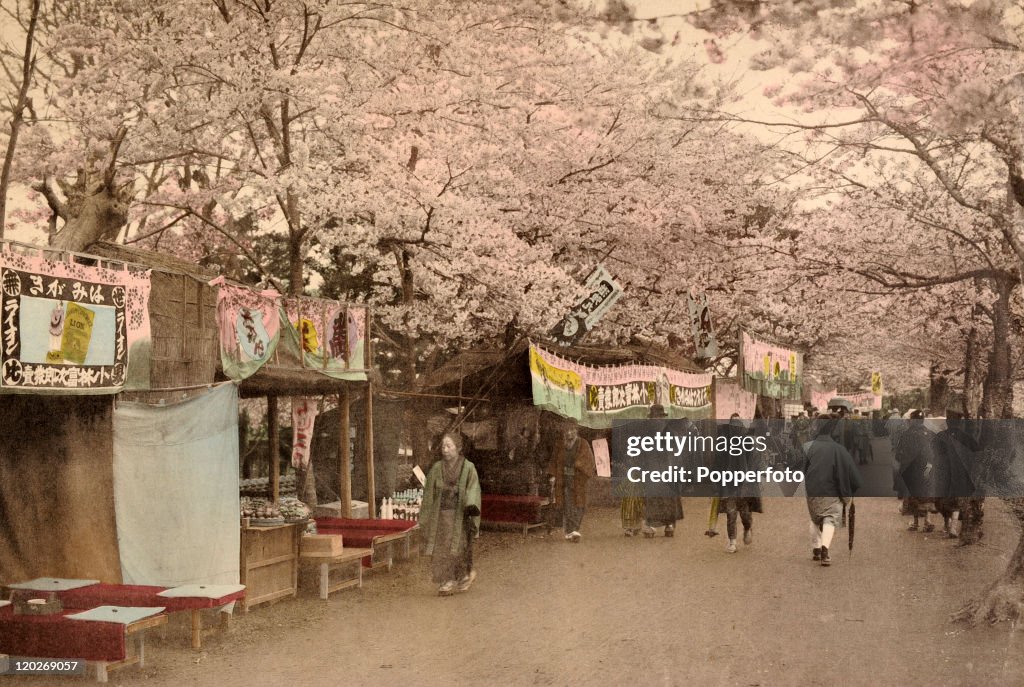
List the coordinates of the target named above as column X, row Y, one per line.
column 598, row 397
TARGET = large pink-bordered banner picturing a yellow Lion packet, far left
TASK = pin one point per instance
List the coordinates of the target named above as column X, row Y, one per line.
column 67, row 328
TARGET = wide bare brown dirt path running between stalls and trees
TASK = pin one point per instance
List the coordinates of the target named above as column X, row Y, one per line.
column 615, row 611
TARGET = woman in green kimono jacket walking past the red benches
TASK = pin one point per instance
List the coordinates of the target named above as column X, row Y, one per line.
column 450, row 518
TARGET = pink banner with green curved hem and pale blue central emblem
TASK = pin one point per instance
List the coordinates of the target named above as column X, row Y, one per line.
column 249, row 326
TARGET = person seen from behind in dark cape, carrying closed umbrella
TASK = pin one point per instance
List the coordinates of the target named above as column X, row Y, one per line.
column 831, row 479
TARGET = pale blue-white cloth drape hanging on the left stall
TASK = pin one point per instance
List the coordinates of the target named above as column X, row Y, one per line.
column 177, row 490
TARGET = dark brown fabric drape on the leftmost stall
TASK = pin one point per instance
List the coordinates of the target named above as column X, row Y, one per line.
column 57, row 490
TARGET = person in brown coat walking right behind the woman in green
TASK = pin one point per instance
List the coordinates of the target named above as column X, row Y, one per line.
column 572, row 467
